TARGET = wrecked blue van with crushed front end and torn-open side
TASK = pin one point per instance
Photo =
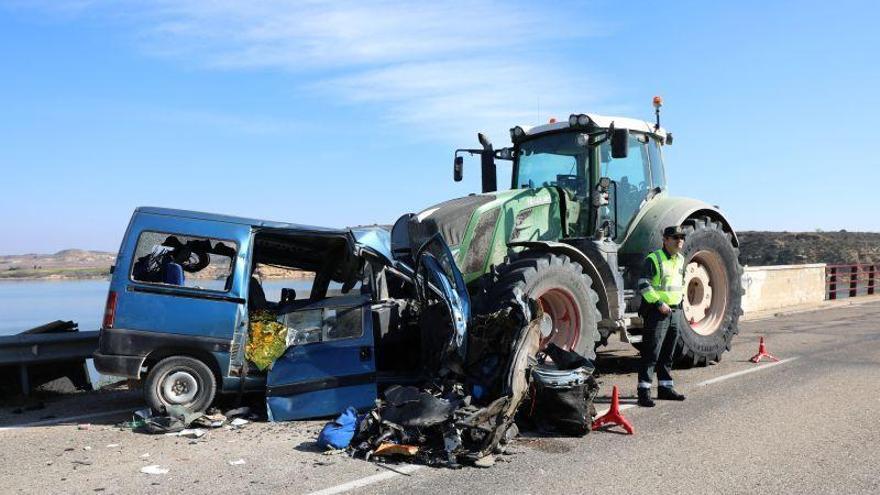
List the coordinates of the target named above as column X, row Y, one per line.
column 185, row 285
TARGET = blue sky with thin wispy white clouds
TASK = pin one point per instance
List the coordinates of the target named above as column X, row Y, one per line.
column 339, row 113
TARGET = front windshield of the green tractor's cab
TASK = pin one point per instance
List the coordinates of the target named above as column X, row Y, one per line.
column 554, row 160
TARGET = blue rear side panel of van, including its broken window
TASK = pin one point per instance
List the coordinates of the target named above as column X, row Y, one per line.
column 179, row 286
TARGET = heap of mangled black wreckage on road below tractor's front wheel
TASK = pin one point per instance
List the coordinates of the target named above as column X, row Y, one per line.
column 459, row 418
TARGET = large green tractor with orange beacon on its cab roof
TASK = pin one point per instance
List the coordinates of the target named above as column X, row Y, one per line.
column 587, row 202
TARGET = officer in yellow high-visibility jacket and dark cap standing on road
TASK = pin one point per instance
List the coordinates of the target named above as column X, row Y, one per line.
column 662, row 289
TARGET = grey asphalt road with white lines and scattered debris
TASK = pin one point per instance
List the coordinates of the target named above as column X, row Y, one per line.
column 808, row 425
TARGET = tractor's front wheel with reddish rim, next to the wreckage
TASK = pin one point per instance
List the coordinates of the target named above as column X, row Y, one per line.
column 564, row 292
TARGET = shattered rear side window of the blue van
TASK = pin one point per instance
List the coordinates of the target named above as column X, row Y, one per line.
column 183, row 261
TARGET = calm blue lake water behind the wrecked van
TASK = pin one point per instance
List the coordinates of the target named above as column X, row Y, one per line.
column 28, row 304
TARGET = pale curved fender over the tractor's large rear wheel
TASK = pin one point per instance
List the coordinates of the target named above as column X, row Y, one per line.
column 646, row 235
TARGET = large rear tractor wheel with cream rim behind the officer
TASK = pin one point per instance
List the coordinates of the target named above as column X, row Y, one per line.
column 712, row 293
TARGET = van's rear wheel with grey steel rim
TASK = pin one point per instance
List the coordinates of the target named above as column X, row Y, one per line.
column 180, row 381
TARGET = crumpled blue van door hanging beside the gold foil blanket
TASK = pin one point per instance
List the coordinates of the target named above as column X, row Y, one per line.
column 329, row 364
